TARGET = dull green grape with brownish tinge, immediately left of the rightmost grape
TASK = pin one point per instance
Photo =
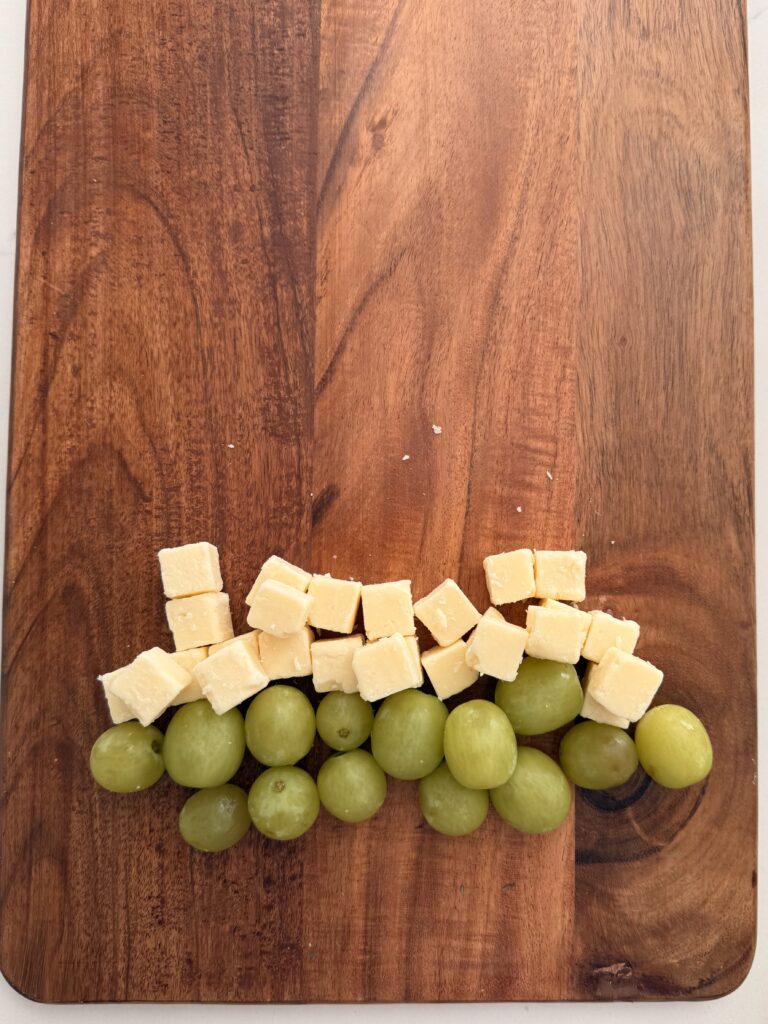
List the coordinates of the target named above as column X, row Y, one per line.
column 598, row 757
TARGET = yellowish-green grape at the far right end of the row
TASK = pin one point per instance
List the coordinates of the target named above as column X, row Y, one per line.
column 674, row 747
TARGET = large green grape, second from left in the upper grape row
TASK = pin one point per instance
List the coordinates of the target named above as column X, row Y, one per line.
column 203, row 749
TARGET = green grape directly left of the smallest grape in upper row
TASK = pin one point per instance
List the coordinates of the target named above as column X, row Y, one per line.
column 280, row 727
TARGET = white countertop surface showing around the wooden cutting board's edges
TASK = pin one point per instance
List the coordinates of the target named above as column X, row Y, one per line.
column 750, row 1004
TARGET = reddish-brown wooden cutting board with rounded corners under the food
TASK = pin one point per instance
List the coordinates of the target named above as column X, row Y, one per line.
column 264, row 248
